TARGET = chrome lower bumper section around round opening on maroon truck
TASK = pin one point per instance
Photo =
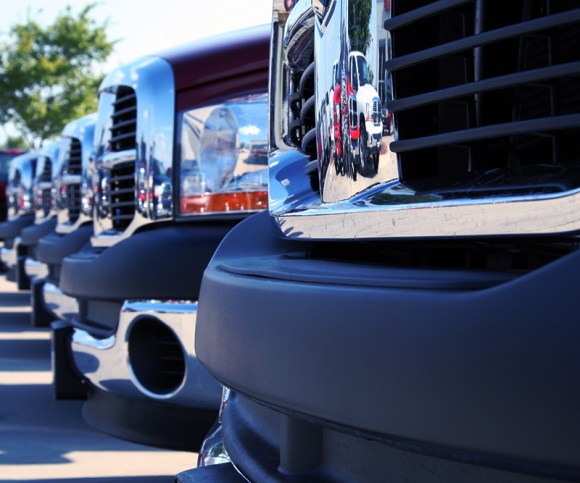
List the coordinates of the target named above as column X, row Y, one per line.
column 107, row 363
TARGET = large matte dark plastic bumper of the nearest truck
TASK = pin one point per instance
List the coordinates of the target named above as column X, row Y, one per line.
column 476, row 368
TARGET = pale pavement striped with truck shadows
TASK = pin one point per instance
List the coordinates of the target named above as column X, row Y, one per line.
column 44, row 440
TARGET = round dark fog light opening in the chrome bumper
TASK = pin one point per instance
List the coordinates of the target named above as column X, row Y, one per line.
column 156, row 358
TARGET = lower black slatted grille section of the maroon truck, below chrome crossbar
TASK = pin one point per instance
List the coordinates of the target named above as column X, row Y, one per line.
column 122, row 194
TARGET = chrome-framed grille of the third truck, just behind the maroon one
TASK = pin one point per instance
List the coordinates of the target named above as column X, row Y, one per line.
column 75, row 156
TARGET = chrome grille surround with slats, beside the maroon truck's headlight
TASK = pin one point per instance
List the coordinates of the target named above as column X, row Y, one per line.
column 125, row 141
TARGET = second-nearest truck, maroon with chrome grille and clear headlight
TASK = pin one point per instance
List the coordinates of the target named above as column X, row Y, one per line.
column 179, row 159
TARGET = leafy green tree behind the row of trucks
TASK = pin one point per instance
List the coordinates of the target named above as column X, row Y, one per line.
column 48, row 73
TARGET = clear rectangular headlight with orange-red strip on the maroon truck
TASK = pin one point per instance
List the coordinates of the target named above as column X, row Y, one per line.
column 224, row 157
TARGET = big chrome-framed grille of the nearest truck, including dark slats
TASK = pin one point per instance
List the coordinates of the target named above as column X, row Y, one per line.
column 462, row 167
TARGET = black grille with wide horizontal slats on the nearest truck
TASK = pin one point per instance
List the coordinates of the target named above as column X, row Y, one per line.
column 486, row 94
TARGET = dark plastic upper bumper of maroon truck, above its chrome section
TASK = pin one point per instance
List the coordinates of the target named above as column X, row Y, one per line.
column 163, row 263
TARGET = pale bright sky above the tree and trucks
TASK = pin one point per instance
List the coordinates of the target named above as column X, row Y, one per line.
column 146, row 26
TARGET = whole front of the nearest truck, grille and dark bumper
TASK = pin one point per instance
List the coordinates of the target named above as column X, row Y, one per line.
column 418, row 323
